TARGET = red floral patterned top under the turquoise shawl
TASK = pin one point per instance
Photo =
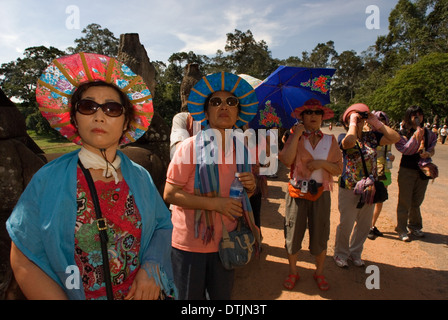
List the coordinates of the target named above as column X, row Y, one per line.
column 124, row 232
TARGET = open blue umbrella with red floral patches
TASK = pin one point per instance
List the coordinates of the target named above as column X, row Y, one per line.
column 286, row 89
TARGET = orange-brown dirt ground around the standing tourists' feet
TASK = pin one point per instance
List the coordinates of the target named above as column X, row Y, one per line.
column 413, row 270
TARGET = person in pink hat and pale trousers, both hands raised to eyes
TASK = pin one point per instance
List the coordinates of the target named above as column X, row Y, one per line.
column 357, row 144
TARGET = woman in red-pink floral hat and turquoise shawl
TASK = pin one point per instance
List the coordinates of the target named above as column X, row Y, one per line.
column 91, row 224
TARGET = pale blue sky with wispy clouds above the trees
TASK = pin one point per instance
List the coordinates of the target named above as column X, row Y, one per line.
column 289, row 27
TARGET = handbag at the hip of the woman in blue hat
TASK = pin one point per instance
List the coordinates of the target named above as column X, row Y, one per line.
column 237, row 248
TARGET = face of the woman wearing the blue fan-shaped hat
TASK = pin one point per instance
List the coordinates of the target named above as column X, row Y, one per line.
column 222, row 116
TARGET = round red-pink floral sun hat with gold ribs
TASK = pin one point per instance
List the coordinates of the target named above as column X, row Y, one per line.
column 65, row 74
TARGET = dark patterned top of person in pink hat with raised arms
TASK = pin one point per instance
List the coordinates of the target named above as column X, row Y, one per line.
column 353, row 170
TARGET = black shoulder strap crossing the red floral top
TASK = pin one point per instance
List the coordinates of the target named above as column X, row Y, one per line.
column 102, row 228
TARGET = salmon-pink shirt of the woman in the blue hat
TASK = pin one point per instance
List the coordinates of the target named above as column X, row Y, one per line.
column 182, row 174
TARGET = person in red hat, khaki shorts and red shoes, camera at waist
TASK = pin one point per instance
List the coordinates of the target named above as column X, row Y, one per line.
column 314, row 159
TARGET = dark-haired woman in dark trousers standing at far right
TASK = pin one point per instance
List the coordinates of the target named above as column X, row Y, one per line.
column 416, row 144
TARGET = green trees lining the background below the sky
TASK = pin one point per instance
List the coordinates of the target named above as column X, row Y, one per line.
column 406, row 66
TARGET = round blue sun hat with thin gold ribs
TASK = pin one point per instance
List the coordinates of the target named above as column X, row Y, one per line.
column 223, row 81
